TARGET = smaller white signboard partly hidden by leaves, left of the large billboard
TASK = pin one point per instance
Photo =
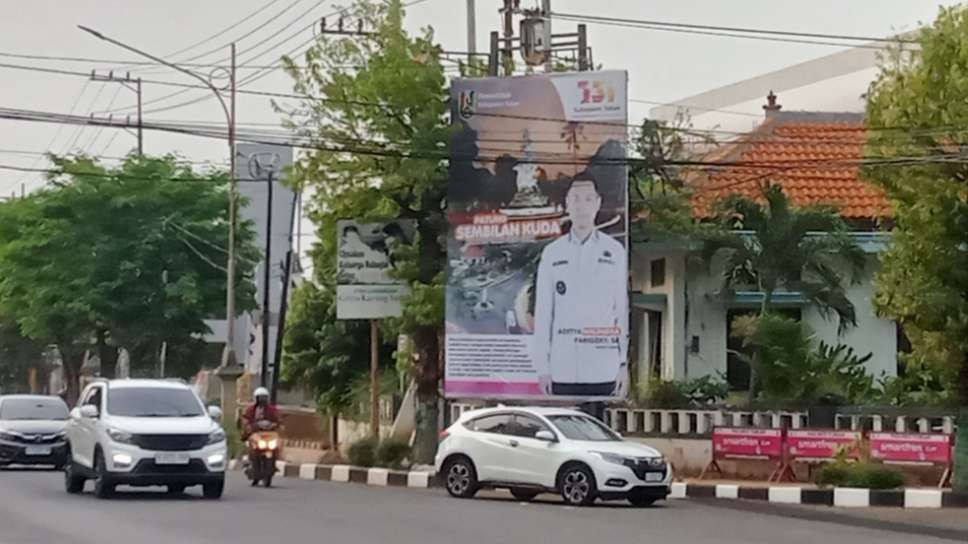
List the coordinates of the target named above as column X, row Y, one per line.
column 365, row 286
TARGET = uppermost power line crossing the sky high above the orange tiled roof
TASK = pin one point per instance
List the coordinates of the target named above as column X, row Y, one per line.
column 729, row 31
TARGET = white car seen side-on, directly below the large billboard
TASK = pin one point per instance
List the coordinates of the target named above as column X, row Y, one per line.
column 536, row 450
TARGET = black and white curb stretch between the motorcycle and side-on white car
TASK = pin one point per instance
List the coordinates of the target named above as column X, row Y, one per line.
column 379, row 477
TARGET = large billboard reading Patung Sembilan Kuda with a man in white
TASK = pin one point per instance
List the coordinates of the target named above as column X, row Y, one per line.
column 537, row 284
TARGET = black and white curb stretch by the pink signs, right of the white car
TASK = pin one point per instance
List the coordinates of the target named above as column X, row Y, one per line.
column 839, row 496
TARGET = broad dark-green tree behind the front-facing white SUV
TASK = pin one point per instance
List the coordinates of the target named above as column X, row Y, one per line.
column 127, row 255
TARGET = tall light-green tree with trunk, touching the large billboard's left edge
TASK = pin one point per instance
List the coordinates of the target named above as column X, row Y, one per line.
column 381, row 137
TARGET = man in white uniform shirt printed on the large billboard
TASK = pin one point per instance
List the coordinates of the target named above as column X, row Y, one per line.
column 581, row 304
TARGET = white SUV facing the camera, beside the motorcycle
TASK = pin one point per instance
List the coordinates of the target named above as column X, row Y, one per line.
column 144, row 433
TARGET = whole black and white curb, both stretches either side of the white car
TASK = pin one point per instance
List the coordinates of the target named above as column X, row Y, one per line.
column 838, row 496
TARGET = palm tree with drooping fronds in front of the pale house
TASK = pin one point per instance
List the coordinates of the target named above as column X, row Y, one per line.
column 807, row 250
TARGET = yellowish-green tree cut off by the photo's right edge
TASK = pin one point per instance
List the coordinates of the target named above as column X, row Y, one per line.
column 918, row 103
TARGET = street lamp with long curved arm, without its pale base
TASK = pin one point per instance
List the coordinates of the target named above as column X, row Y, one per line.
column 228, row 355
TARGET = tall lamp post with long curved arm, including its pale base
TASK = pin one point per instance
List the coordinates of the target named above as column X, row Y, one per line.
column 229, row 369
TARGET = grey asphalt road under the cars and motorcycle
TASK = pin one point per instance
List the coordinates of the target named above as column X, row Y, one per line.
column 35, row 509
